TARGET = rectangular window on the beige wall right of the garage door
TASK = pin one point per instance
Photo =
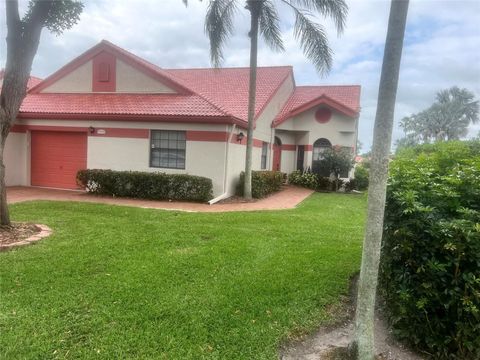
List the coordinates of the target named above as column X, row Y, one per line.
column 167, row 149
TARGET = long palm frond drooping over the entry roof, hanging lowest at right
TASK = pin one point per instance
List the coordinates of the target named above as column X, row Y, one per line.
column 313, row 40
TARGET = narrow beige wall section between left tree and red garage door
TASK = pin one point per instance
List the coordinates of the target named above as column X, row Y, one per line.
column 16, row 158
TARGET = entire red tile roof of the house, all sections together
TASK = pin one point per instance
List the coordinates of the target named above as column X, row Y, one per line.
column 202, row 93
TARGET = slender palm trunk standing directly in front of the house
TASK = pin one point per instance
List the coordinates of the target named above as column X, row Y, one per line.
column 254, row 7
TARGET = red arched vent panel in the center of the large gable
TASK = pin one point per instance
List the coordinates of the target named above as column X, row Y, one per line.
column 104, row 72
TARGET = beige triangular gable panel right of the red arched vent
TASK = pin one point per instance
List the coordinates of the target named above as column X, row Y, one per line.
column 131, row 80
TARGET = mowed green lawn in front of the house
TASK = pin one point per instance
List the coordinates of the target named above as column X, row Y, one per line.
column 119, row 282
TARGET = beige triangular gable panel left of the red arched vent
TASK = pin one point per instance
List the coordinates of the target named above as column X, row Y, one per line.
column 77, row 81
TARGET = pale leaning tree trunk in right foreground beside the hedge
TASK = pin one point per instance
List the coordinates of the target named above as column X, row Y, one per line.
column 378, row 180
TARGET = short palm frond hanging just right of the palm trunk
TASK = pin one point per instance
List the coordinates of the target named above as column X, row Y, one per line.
column 269, row 23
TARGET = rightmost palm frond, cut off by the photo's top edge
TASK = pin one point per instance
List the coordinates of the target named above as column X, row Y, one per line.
column 337, row 10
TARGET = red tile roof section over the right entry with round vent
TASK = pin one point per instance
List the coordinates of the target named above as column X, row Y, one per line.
column 343, row 98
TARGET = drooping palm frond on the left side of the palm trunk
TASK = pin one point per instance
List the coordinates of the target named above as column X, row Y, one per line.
column 219, row 26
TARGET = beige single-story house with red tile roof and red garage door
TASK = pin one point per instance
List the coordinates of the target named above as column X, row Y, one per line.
column 109, row 109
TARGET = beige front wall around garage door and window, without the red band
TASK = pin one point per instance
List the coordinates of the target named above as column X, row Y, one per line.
column 203, row 158
